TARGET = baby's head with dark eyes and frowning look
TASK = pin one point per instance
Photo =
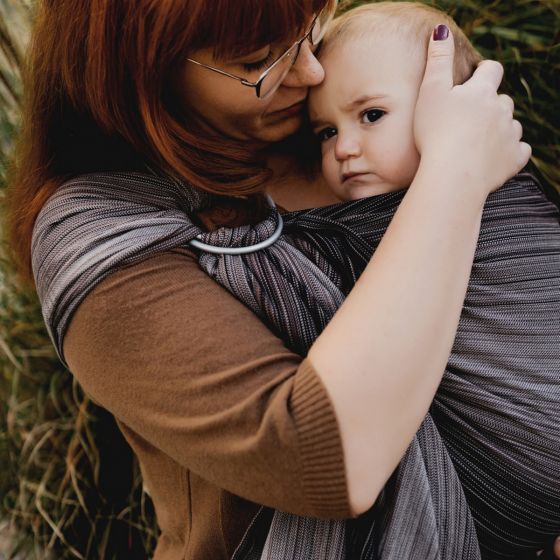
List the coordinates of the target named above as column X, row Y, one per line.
column 374, row 58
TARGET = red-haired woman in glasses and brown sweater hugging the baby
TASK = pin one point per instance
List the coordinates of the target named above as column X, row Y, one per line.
column 152, row 98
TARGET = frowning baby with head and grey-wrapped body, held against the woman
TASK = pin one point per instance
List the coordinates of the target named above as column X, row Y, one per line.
column 498, row 407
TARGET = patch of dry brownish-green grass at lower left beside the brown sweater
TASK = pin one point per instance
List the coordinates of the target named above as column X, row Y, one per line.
column 69, row 485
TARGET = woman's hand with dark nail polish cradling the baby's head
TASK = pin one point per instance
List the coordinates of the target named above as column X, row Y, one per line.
column 467, row 131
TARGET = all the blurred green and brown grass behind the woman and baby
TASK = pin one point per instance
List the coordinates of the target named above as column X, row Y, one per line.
column 69, row 487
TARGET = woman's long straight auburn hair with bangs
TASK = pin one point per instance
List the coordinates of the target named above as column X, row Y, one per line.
column 98, row 96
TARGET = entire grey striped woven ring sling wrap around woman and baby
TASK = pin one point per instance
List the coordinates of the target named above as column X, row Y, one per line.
column 482, row 476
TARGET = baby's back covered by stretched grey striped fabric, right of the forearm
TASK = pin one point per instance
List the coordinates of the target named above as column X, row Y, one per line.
column 498, row 407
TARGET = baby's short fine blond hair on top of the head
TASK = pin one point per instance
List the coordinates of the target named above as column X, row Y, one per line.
column 410, row 19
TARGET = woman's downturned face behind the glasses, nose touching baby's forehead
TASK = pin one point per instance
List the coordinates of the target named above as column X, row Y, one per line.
column 225, row 105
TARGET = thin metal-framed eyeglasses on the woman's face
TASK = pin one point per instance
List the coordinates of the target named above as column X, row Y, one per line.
column 269, row 81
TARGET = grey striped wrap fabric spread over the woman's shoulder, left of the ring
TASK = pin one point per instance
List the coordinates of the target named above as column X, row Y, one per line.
column 96, row 224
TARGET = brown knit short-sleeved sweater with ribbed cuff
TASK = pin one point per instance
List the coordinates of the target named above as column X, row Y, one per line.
column 220, row 414
